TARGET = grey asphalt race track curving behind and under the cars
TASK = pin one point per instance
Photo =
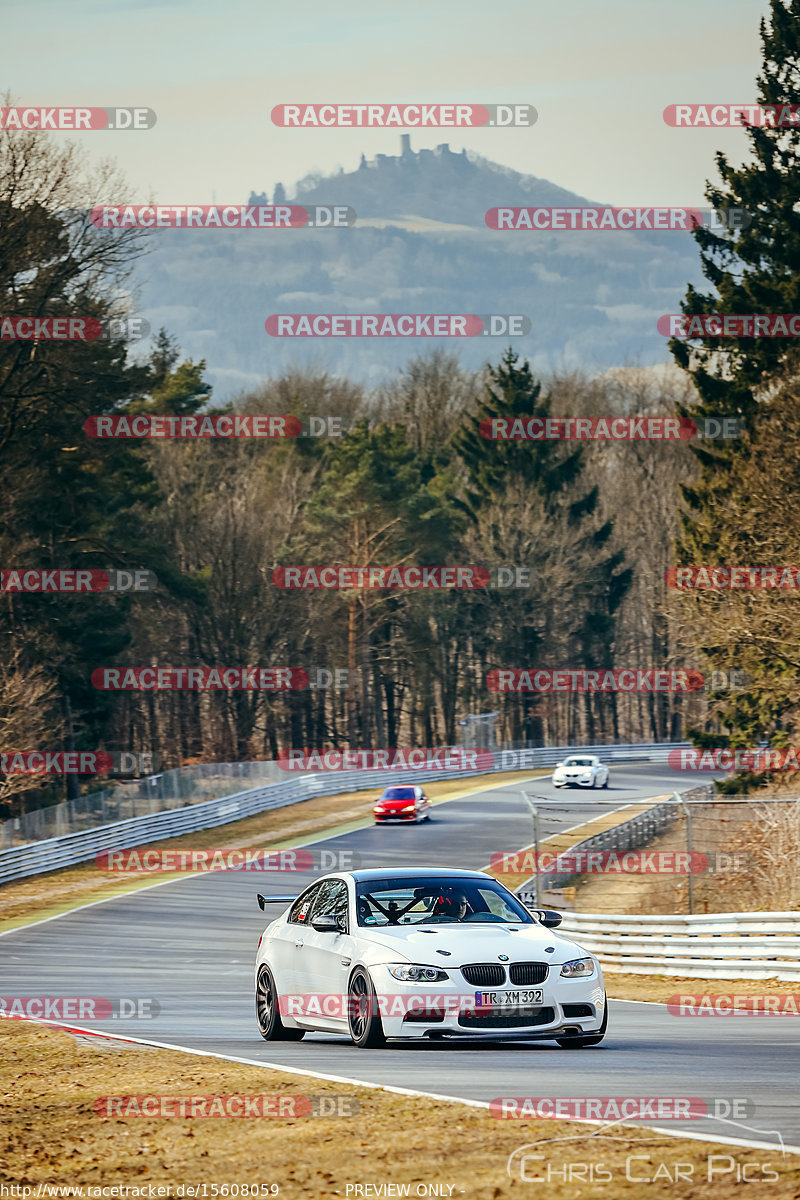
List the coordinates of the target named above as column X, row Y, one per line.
column 191, row 945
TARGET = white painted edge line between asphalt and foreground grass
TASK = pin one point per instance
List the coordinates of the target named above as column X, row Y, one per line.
column 388, row 1088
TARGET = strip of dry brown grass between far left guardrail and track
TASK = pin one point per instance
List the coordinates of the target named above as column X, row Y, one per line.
column 45, row 895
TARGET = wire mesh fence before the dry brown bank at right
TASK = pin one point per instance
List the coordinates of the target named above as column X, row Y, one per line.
column 691, row 853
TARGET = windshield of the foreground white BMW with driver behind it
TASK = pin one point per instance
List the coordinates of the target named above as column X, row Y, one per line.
column 429, row 901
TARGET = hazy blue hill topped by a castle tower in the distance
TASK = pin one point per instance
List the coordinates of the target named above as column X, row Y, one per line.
column 420, row 245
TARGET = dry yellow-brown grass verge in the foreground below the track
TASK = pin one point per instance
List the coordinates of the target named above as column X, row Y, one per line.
column 52, row 1136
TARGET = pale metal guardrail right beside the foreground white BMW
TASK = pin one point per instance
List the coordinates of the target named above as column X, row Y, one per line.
column 726, row 946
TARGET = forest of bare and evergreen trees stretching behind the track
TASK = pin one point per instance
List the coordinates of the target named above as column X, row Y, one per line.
column 411, row 482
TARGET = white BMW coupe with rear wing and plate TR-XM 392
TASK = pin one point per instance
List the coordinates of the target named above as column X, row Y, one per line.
column 423, row 953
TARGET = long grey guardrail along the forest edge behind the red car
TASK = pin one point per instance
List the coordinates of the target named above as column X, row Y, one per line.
column 55, row 854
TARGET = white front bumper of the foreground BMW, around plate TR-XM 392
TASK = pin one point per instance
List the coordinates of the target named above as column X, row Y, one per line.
column 443, row 1010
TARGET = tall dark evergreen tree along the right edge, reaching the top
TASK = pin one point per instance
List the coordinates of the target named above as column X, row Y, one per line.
column 753, row 271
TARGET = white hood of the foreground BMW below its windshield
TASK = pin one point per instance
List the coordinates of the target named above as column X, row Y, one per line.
column 474, row 945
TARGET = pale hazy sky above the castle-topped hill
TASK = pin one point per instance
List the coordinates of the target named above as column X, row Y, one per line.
column 599, row 75
